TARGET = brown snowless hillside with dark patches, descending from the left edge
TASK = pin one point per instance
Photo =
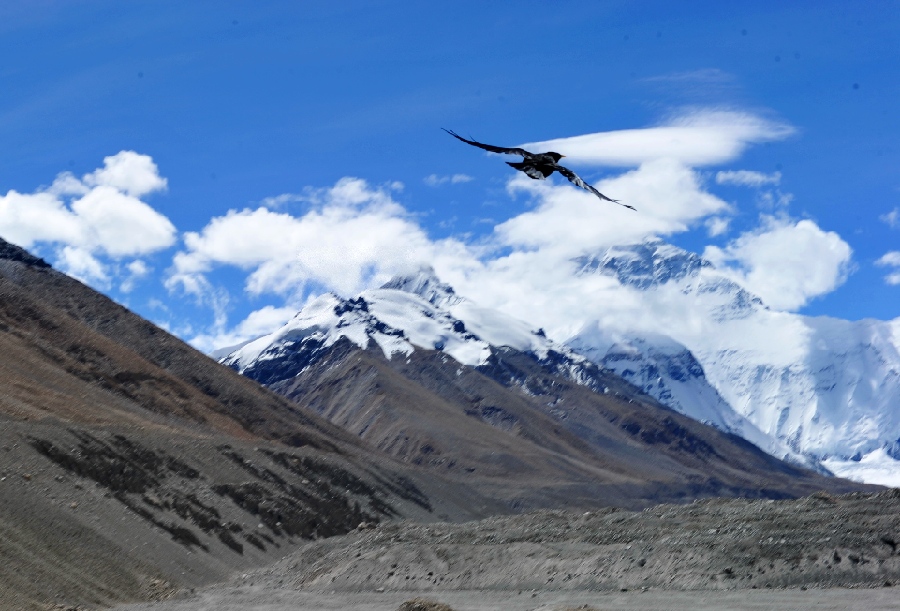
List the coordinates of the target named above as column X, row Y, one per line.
column 134, row 466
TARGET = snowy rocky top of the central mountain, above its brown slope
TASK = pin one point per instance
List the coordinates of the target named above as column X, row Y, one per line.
column 410, row 312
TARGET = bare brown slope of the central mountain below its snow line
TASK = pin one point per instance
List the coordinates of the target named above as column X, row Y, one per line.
column 515, row 430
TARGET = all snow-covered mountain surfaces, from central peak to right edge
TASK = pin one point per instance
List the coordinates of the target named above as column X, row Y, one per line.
column 815, row 391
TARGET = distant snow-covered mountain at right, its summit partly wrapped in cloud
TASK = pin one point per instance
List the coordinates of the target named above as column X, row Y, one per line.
column 825, row 388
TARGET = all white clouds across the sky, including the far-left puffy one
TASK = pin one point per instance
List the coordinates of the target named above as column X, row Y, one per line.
column 354, row 235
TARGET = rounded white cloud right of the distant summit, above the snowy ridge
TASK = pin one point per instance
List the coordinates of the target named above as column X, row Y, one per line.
column 786, row 263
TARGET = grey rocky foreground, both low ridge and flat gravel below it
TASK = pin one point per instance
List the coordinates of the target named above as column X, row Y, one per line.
column 661, row 555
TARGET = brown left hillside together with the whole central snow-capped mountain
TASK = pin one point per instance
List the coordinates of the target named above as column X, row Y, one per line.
column 132, row 466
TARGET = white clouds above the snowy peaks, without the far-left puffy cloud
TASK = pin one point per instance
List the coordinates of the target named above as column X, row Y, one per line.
column 353, row 236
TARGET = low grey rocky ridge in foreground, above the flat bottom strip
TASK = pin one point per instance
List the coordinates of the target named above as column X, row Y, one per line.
column 818, row 541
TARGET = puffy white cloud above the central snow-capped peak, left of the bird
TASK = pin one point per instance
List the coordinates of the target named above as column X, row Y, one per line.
column 353, row 235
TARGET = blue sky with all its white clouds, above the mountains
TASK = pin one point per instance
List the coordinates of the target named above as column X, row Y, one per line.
column 214, row 165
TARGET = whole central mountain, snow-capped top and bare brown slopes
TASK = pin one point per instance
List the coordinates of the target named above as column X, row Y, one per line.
column 437, row 381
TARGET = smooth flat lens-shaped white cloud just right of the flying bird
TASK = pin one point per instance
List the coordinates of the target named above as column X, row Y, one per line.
column 699, row 138
